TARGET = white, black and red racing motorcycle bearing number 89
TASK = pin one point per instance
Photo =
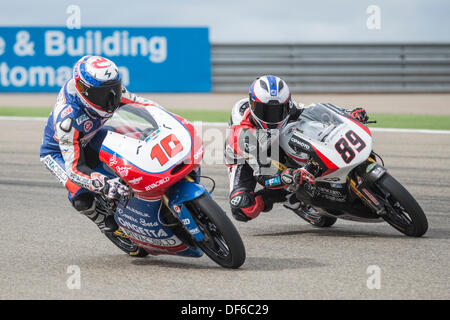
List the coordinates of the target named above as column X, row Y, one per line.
column 350, row 184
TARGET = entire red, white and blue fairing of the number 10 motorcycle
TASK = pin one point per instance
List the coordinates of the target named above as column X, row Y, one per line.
column 128, row 151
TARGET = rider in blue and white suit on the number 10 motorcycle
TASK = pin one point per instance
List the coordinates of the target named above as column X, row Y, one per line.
column 74, row 133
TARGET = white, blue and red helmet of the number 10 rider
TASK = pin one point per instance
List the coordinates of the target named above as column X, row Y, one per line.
column 98, row 85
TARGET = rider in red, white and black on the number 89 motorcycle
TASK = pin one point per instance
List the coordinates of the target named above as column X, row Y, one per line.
column 267, row 109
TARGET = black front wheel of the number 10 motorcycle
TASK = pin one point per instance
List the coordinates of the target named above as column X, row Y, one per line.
column 222, row 242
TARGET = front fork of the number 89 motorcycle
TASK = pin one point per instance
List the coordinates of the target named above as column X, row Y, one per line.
column 361, row 182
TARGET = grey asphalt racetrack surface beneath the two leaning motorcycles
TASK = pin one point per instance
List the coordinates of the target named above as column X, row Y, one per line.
column 42, row 236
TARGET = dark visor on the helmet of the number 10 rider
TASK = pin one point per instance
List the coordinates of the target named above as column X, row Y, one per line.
column 107, row 96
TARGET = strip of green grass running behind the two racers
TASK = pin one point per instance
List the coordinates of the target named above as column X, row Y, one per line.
column 402, row 121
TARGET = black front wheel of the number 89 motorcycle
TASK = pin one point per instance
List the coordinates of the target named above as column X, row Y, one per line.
column 403, row 211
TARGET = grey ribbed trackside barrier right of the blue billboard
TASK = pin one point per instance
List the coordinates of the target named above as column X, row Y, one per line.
column 335, row 67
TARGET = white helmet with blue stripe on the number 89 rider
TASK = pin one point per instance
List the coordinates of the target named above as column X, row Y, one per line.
column 270, row 102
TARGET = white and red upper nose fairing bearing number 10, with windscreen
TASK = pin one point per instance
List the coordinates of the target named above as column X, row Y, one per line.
column 131, row 153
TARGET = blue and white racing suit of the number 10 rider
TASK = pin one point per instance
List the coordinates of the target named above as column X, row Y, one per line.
column 72, row 140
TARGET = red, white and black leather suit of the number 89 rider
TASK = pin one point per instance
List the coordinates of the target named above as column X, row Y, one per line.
column 244, row 174
